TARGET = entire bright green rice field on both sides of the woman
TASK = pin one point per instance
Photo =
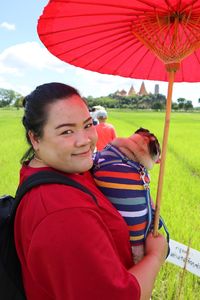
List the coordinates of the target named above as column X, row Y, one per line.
column 180, row 205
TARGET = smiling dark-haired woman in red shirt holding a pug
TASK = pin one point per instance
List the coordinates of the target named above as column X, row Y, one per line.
column 71, row 248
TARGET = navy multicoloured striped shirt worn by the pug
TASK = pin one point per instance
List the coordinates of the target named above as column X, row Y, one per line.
column 126, row 184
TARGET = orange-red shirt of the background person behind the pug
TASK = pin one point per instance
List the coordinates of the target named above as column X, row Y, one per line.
column 106, row 133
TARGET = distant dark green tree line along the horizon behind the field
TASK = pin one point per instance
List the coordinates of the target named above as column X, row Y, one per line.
column 150, row 101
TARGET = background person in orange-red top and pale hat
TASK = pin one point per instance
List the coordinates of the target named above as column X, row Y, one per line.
column 105, row 131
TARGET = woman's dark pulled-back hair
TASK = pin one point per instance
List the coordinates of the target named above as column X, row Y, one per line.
column 35, row 109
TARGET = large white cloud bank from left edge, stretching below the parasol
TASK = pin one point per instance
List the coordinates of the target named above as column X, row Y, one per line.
column 24, row 66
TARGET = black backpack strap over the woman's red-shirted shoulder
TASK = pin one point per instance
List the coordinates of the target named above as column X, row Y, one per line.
column 47, row 177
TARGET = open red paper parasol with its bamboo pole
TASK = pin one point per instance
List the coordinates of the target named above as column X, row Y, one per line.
column 145, row 39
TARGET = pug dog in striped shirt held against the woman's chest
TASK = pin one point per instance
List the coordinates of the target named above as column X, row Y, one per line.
column 120, row 171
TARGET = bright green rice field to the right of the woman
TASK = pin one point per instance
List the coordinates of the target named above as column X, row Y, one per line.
column 180, row 206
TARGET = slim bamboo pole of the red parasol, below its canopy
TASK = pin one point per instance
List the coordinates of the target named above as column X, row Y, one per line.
column 171, row 75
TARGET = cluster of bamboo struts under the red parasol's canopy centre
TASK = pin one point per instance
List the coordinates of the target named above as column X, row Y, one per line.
column 165, row 42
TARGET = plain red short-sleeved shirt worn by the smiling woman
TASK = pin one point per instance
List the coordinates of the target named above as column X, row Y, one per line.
column 70, row 248
